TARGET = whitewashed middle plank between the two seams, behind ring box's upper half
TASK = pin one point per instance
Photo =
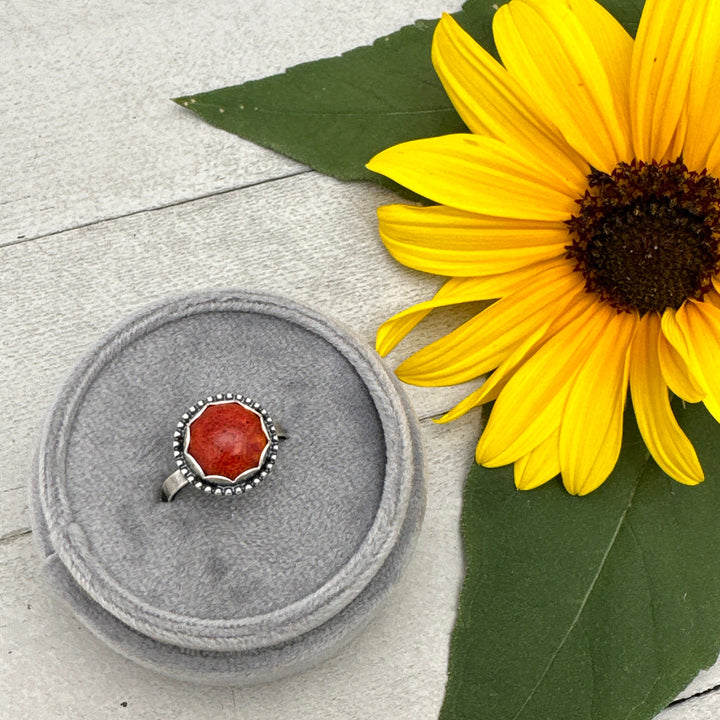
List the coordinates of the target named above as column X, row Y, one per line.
column 309, row 237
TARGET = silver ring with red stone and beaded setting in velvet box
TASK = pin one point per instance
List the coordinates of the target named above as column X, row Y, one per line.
column 223, row 445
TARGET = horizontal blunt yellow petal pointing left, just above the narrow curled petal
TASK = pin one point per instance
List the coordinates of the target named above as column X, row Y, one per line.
column 445, row 241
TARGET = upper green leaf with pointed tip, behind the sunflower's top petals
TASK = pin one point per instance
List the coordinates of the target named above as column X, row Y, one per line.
column 335, row 114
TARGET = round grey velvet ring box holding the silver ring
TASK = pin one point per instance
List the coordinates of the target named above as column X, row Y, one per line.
column 246, row 588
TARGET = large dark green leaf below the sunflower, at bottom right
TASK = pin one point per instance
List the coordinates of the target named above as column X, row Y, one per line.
column 601, row 607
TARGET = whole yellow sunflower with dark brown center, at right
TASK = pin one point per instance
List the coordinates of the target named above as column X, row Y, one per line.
column 585, row 203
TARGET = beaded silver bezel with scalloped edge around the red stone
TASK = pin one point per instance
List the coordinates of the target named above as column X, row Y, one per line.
column 216, row 485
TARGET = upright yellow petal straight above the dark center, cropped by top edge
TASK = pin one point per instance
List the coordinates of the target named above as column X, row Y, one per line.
column 660, row 74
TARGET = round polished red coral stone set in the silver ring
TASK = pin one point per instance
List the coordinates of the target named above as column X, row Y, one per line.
column 227, row 439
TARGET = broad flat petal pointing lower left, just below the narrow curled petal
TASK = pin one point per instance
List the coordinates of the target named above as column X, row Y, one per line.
column 483, row 342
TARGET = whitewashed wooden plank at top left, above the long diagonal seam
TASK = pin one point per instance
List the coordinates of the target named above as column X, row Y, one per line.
column 88, row 129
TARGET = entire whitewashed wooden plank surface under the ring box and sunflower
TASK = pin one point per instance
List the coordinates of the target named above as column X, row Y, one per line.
column 112, row 197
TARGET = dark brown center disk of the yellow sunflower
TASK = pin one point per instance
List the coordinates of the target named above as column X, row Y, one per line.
column 647, row 236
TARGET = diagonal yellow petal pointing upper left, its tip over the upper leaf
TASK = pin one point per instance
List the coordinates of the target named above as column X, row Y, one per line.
column 492, row 103
